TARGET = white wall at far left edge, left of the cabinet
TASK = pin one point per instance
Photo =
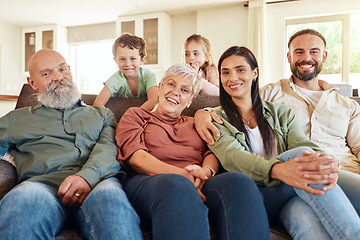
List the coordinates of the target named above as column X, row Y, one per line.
column 11, row 79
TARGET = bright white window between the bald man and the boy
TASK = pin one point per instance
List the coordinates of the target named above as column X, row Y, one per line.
column 92, row 64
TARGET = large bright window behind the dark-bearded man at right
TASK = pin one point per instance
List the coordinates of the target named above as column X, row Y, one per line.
column 342, row 34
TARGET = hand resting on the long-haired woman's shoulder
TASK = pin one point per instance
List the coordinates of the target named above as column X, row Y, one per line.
column 204, row 126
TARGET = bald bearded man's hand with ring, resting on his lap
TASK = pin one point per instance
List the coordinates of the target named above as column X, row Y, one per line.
column 71, row 186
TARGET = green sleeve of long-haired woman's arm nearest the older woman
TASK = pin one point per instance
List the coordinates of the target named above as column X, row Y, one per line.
column 234, row 155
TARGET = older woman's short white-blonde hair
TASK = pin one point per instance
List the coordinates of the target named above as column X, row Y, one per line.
column 189, row 72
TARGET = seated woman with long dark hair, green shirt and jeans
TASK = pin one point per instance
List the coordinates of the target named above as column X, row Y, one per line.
column 264, row 141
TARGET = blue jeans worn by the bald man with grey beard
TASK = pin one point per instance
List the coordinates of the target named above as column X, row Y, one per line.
column 33, row 211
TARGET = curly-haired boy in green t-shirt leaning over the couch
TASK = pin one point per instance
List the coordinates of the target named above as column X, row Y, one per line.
column 131, row 80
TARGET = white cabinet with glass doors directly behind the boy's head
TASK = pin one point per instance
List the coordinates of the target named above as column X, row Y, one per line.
column 155, row 29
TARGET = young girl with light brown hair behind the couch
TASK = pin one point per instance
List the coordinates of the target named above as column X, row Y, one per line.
column 197, row 53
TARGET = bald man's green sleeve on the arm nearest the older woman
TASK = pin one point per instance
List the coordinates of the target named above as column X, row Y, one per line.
column 102, row 160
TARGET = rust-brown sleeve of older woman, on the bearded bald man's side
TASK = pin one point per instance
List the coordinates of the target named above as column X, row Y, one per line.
column 129, row 134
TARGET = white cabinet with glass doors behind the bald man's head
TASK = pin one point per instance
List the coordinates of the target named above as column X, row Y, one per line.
column 42, row 37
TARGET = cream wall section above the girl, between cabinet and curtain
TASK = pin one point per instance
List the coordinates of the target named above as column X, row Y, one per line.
column 223, row 26
